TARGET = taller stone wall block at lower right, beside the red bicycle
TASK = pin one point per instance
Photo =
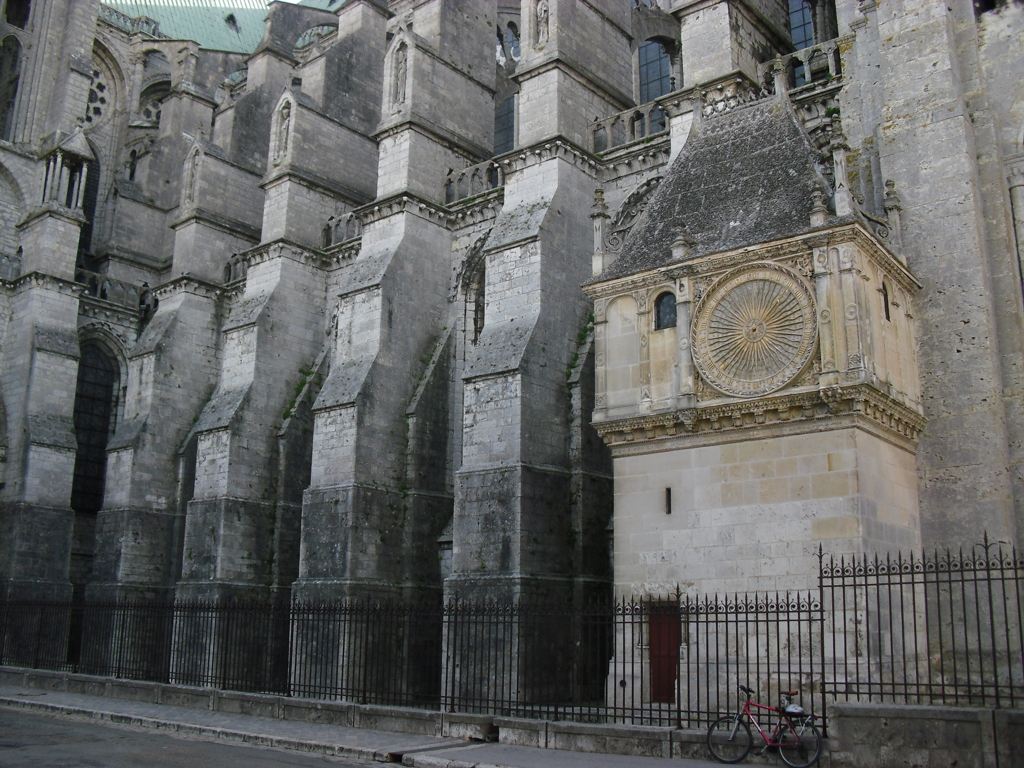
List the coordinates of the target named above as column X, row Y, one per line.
column 900, row 737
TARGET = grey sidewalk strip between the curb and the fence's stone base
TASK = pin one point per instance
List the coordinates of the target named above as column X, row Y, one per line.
column 415, row 751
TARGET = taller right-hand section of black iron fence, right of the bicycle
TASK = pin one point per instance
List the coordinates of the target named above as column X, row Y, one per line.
column 938, row 628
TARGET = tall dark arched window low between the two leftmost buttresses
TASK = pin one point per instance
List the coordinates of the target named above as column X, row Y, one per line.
column 95, row 398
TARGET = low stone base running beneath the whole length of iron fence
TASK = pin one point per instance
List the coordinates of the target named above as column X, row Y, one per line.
column 861, row 736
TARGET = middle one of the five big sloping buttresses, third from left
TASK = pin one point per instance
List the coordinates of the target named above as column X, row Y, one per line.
column 274, row 331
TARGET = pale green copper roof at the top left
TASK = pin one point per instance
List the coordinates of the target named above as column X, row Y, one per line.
column 224, row 25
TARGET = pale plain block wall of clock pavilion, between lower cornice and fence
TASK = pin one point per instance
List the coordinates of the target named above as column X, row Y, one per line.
column 750, row 516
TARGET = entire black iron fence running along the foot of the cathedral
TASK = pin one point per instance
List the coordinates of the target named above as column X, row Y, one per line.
column 944, row 628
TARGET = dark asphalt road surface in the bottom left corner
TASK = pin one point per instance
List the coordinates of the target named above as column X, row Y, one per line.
column 47, row 742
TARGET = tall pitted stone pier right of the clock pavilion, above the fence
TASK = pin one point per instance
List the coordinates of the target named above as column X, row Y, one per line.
column 932, row 153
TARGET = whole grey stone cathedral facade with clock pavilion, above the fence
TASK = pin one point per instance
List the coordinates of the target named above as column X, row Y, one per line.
column 501, row 298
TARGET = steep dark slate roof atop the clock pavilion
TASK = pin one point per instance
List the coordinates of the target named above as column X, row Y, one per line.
column 743, row 178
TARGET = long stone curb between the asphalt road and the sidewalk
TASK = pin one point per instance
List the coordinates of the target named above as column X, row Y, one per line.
column 192, row 730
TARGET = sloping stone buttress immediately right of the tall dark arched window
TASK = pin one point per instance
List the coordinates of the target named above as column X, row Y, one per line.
column 172, row 372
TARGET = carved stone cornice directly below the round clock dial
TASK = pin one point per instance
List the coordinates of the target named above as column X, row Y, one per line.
column 801, row 411
